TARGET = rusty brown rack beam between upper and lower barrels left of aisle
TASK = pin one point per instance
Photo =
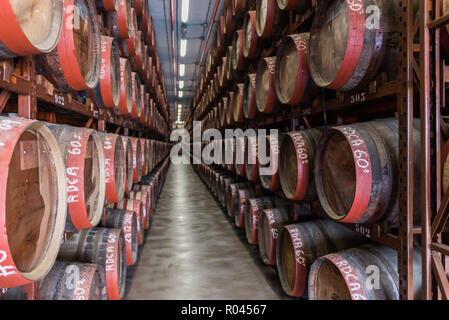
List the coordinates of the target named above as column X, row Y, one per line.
column 35, row 99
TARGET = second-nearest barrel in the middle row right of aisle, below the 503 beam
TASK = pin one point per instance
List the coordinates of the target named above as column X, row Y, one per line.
column 296, row 164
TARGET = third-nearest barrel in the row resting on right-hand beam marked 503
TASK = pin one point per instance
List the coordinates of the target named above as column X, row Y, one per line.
column 266, row 97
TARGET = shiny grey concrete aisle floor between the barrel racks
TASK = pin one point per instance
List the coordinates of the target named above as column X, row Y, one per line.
column 193, row 252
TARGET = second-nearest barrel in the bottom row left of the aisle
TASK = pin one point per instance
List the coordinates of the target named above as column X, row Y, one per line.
column 104, row 247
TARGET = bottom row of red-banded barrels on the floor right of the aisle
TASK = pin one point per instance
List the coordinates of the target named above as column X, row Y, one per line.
column 316, row 258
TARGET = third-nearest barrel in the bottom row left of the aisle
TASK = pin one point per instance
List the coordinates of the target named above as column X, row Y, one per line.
column 127, row 222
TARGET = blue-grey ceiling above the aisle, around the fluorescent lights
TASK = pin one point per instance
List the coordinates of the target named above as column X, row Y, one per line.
column 195, row 31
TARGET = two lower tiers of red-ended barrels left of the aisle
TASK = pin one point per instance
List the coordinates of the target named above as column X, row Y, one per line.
column 56, row 181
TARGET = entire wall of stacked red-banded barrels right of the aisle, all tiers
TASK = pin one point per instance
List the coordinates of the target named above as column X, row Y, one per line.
column 277, row 55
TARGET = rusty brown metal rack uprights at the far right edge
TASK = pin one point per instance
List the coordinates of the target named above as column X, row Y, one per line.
column 430, row 79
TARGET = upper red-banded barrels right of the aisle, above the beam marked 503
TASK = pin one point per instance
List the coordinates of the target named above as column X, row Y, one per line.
column 260, row 65
